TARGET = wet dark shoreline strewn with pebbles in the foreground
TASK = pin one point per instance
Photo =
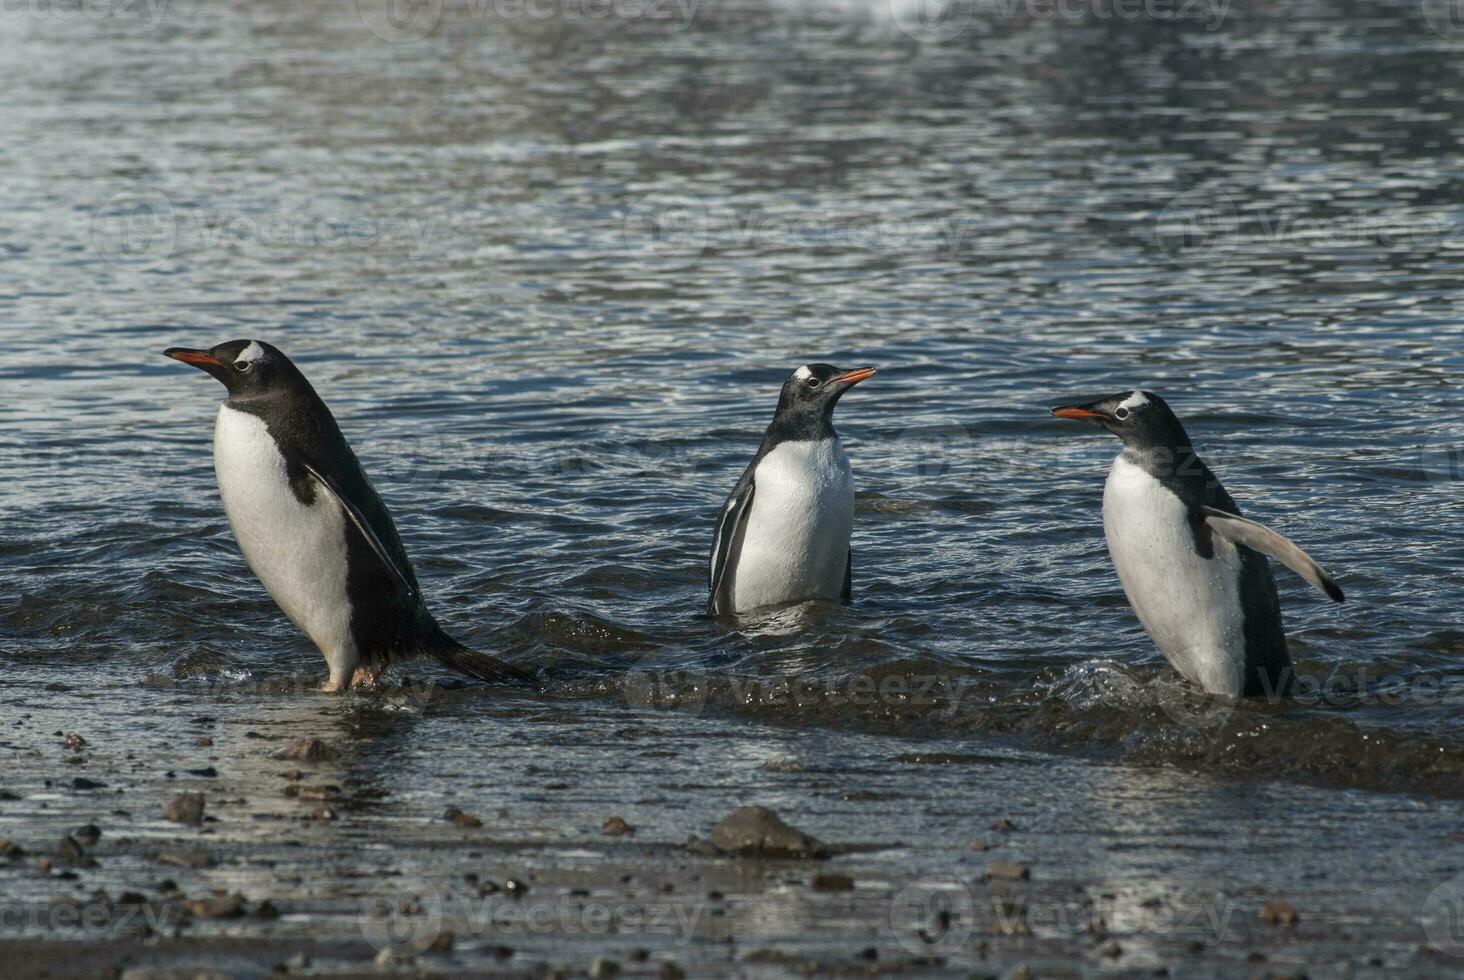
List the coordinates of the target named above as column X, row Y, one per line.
column 945, row 861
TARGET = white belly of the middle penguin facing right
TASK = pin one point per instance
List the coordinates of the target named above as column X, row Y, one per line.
column 796, row 544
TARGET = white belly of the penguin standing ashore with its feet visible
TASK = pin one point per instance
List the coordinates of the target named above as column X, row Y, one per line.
column 296, row 550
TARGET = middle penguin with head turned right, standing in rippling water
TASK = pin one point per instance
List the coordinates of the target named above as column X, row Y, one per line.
column 784, row 534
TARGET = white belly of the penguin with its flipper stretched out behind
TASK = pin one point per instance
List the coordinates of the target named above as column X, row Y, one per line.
column 1188, row 604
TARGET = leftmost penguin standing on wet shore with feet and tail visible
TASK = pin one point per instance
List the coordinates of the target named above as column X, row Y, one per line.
column 313, row 527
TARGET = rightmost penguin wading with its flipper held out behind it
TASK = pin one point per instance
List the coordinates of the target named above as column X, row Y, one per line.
column 1194, row 569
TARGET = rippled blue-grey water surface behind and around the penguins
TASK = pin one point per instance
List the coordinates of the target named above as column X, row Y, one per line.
column 551, row 273
